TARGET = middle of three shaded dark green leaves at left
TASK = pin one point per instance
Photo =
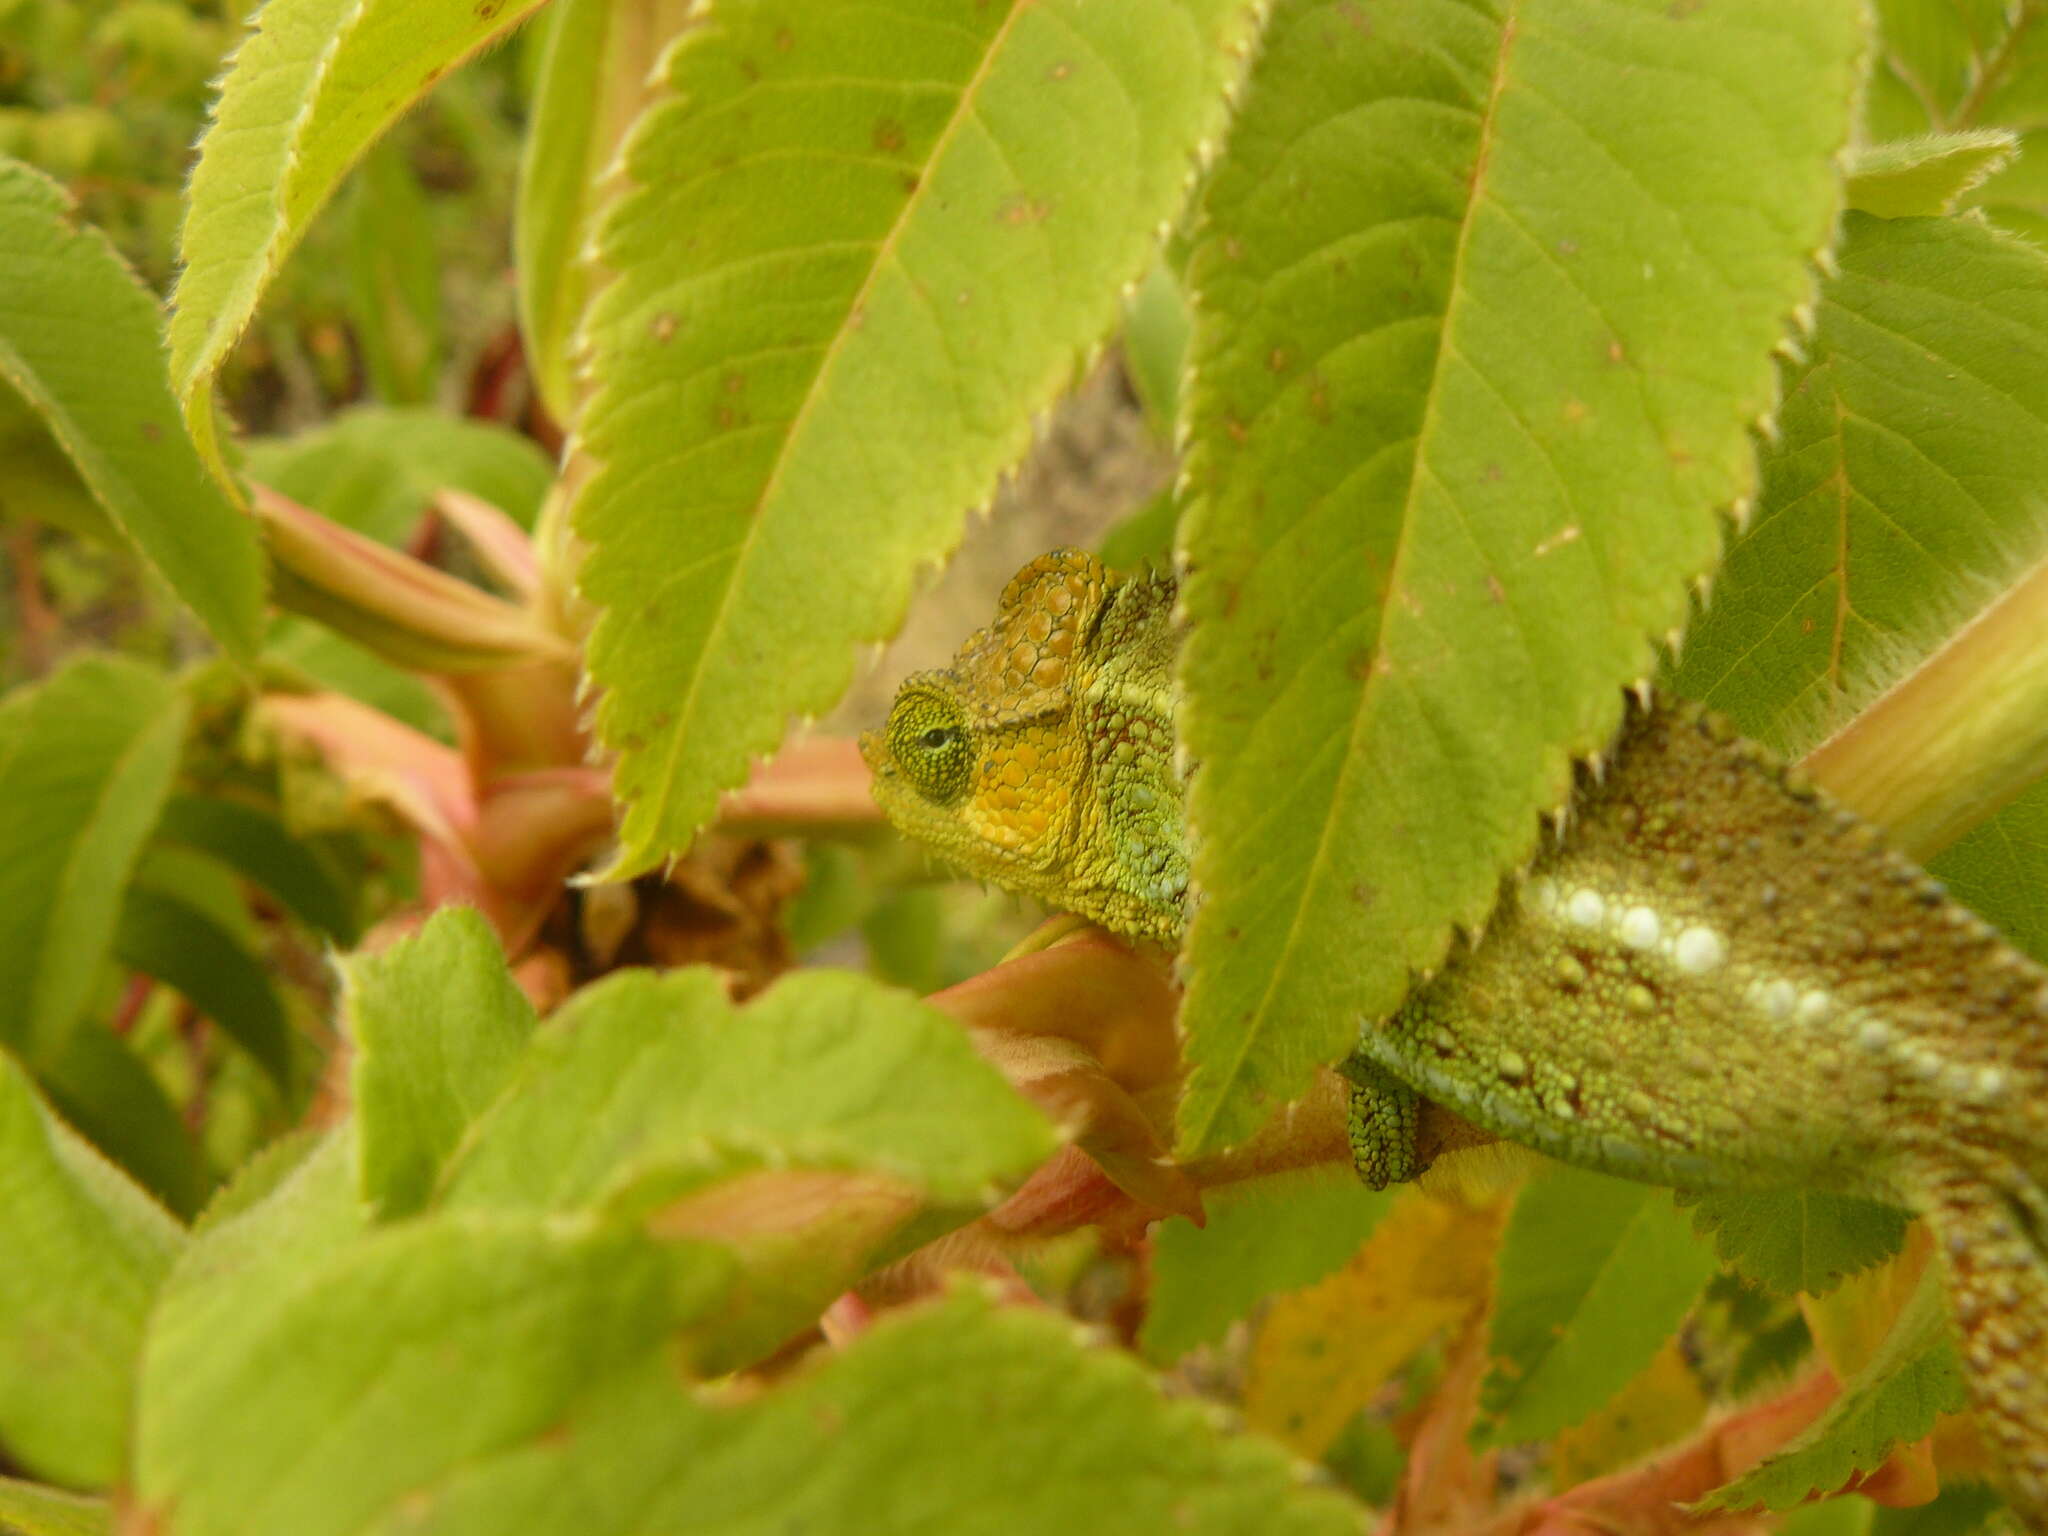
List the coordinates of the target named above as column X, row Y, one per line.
column 185, row 949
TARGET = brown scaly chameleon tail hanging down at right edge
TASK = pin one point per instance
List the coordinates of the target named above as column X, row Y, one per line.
column 1992, row 1234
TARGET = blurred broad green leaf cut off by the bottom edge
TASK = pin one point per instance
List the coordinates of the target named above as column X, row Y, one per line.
column 962, row 1418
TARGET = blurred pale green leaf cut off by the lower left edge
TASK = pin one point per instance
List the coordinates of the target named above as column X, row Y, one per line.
column 85, row 1256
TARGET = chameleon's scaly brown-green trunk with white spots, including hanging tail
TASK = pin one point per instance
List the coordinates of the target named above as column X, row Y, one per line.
column 1725, row 982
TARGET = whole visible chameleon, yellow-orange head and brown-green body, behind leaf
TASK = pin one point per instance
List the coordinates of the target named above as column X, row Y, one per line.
column 1717, row 980
